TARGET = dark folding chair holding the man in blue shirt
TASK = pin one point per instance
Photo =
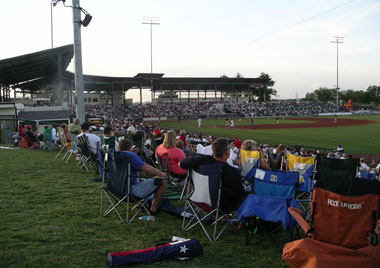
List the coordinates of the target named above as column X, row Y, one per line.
column 117, row 167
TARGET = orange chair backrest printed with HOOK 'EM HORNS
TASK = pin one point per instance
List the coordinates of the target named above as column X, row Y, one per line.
column 343, row 220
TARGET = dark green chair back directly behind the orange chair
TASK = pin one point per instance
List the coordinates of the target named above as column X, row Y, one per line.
column 335, row 175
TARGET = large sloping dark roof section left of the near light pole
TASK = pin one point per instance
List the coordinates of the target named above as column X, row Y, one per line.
column 35, row 70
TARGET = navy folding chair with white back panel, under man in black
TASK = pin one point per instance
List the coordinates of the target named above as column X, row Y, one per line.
column 205, row 197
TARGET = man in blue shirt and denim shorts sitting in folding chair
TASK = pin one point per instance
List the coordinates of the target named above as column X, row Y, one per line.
column 145, row 187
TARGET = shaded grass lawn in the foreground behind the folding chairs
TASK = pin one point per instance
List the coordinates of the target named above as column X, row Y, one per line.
column 49, row 217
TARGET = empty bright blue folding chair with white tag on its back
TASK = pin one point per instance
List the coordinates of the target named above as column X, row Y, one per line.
column 274, row 193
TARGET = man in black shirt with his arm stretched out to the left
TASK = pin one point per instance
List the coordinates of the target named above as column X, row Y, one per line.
column 233, row 192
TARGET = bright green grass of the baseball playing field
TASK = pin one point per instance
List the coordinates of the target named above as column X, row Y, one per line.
column 354, row 139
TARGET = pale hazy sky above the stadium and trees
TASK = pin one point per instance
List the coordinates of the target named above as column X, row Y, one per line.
column 289, row 40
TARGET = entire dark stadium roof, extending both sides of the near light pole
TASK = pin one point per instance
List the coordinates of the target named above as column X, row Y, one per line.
column 39, row 70
